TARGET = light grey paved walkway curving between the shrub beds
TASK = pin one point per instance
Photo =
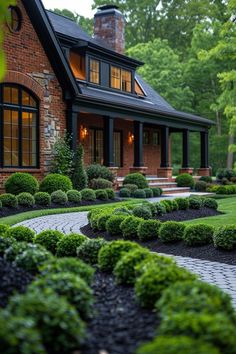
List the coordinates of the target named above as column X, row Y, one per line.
column 220, row 274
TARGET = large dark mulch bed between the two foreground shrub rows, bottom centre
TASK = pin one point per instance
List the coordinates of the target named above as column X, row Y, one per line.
column 119, row 325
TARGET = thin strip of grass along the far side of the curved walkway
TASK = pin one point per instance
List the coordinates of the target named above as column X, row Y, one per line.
column 15, row 219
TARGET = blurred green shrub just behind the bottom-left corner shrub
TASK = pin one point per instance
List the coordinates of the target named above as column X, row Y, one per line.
column 59, row 325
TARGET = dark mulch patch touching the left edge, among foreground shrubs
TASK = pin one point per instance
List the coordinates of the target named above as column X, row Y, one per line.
column 12, row 279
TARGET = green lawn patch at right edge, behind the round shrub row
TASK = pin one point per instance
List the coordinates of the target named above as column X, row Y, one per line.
column 228, row 207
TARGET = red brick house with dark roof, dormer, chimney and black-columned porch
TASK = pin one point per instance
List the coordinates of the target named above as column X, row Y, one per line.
column 59, row 78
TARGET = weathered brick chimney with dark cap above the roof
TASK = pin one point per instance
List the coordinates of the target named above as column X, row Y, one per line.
column 109, row 25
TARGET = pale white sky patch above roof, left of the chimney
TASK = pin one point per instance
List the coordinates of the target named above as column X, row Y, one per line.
column 82, row 7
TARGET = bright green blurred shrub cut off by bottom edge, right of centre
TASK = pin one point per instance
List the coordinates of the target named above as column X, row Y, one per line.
column 176, row 345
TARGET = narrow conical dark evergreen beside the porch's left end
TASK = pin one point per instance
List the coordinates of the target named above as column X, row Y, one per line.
column 79, row 176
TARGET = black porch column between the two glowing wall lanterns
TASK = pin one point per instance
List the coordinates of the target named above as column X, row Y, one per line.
column 108, row 141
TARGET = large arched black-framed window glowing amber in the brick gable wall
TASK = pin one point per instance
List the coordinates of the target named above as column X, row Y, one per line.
column 19, row 127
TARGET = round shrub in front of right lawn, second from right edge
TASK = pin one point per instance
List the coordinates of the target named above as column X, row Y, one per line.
column 199, row 234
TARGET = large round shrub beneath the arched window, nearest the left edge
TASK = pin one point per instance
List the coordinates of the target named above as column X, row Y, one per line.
column 21, row 182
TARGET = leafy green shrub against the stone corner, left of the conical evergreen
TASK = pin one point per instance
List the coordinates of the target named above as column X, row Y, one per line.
column 62, row 161
